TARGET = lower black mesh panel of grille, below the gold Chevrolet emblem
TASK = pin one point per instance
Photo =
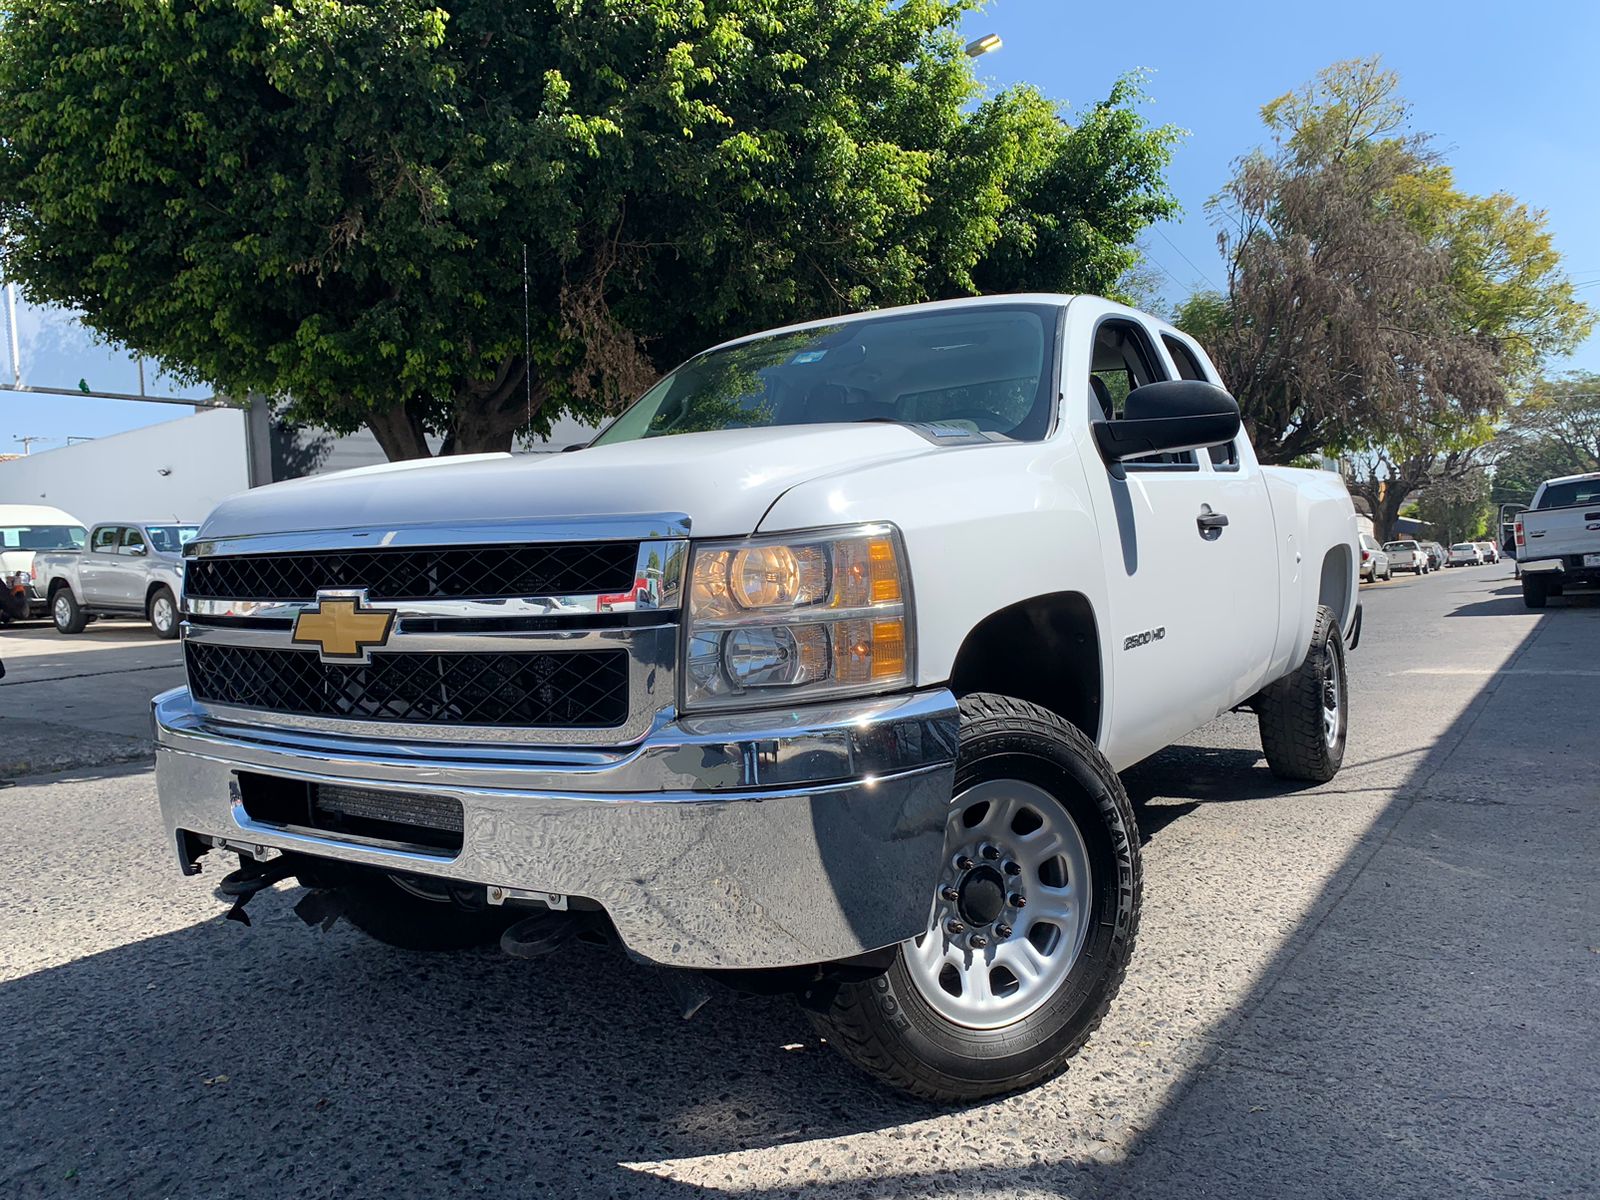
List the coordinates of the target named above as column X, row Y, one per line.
column 585, row 689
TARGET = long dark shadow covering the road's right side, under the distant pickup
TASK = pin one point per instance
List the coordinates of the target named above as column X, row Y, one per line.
column 1428, row 1030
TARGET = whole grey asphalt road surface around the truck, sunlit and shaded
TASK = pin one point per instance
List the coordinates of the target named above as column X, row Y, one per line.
column 1386, row 986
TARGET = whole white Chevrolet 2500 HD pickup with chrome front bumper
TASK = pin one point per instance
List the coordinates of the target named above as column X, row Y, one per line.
column 916, row 586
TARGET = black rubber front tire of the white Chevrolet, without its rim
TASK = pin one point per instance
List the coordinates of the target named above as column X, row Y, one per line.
column 887, row 1028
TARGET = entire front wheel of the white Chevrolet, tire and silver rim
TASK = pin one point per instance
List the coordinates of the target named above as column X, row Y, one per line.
column 1033, row 919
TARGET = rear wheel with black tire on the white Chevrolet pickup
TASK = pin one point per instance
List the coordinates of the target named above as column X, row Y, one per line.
column 1290, row 711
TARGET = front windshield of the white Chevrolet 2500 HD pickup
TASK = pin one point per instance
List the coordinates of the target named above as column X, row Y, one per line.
column 985, row 369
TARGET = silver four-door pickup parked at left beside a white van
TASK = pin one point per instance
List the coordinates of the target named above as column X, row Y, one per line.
column 127, row 570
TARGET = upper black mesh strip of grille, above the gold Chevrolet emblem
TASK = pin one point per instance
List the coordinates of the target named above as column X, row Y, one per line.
column 430, row 574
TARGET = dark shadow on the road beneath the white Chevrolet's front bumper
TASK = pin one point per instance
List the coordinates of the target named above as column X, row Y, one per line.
column 273, row 1050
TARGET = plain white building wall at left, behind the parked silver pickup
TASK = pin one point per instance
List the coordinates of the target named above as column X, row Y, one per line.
column 174, row 471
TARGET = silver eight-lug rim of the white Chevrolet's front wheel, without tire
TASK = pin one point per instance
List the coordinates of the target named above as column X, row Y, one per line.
column 985, row 964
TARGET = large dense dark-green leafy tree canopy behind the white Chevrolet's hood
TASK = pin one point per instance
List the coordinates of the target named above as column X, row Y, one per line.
column 462, row 218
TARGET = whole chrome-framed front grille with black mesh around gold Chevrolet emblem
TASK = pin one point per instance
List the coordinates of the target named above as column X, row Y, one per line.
column 511, row 633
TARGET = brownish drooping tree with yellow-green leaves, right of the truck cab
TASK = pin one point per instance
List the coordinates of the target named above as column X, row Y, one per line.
column 1374, row 310
